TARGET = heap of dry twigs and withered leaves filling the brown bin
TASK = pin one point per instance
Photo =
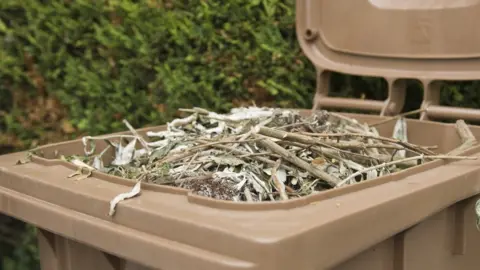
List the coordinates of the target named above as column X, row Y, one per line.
column 258, row 154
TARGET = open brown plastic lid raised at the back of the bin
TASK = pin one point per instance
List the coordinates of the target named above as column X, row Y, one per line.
column 432, row 38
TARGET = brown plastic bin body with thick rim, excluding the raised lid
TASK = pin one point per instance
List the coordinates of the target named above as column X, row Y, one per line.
column 423, row 216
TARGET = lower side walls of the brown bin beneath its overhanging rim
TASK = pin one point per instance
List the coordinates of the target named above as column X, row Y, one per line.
column 447, row 240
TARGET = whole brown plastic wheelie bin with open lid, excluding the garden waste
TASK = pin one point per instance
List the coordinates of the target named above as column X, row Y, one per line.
column 420, row 218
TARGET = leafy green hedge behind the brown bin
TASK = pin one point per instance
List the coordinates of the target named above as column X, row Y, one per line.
column 70, row 68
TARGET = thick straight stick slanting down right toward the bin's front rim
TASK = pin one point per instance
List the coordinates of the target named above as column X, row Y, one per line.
column 299, row 162
